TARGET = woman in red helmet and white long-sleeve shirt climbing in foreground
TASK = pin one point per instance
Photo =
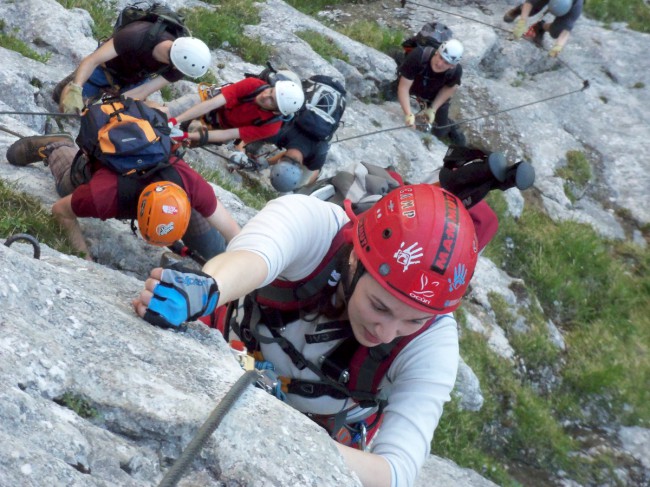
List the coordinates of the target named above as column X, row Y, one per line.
column 369, row 337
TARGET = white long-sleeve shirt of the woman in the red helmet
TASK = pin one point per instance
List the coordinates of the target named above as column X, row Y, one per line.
column 293, row 234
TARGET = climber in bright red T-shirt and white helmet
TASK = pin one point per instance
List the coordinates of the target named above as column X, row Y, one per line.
column 249, row 110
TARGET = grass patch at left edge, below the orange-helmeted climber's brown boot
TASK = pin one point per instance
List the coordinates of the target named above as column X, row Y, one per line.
column 21, row 213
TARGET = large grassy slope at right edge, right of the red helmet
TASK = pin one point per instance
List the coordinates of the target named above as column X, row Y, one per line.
column 597, row 292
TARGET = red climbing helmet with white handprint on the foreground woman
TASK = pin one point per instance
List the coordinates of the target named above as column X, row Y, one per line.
column 419, row 243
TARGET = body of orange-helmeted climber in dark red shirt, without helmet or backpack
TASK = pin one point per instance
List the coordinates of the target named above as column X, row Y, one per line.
column 89, row 189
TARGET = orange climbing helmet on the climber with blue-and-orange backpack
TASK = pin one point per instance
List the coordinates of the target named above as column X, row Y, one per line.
column 163, row 213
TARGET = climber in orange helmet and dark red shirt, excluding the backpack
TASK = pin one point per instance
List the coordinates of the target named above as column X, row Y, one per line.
column 184, row 207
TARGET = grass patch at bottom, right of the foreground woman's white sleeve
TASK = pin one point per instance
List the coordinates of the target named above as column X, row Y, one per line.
column 515, row 426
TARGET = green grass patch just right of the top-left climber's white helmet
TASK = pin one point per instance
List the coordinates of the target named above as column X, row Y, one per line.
column 224, row 26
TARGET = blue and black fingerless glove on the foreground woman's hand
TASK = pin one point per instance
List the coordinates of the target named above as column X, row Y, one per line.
column 183, row 294
